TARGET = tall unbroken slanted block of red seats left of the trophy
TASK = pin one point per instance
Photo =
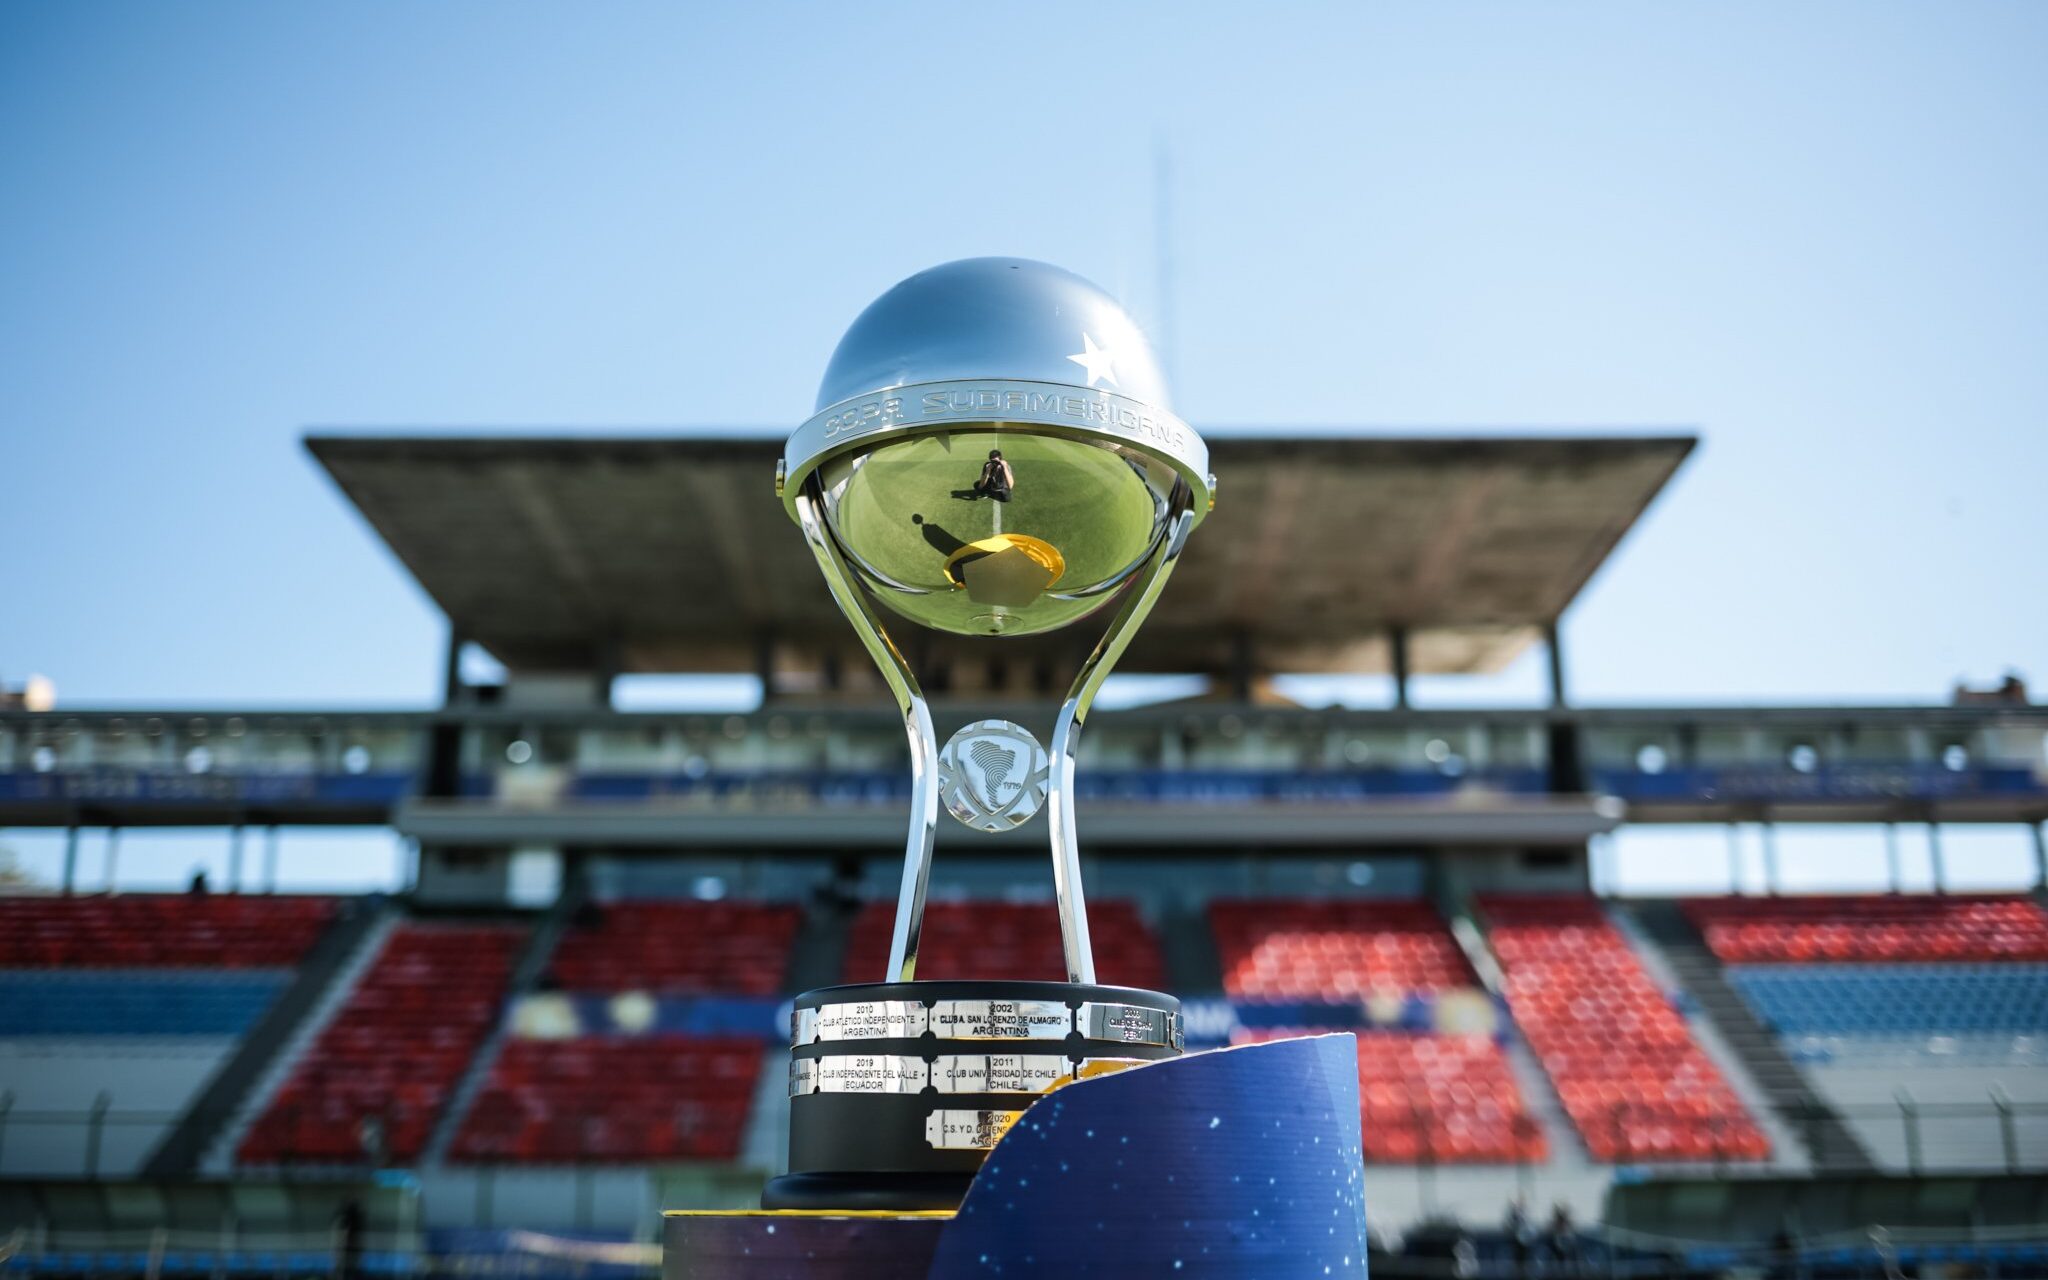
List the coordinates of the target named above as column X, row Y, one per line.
column 394, row 1052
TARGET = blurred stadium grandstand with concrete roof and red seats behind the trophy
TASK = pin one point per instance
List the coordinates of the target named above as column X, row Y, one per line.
column 574, row 1011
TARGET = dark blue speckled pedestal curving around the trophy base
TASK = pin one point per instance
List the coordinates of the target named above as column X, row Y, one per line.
column 1232, row 1164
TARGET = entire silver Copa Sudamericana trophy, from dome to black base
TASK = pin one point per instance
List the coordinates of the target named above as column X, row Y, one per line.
column 992, row 456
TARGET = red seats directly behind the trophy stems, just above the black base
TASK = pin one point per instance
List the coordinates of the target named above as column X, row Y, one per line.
column 1009, row 941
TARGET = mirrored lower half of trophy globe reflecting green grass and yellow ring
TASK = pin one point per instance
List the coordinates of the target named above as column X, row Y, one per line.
column 996, row 529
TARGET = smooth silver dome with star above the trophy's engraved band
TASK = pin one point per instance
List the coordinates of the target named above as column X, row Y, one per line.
column 996, row 318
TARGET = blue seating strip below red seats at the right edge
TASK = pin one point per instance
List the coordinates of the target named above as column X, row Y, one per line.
column 1897, row 1000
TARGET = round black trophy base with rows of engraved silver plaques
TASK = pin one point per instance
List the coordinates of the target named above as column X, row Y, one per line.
column 900, row 1091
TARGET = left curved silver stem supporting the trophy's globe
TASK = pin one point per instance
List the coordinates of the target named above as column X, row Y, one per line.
column 916, row 724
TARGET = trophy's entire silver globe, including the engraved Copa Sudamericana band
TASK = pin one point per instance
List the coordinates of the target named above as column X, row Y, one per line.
column 994, row 450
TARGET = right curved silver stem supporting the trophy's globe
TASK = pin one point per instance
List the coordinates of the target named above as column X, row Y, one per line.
column 1068, row 740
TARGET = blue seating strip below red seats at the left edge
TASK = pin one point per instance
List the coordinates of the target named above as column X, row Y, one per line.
column 134, row 1005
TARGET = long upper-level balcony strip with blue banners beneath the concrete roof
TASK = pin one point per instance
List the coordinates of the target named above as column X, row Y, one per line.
column 325, row 767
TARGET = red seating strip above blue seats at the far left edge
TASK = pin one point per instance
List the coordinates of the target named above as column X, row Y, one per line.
column 161, row 931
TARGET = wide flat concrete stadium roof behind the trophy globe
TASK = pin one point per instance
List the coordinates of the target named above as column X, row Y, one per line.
column 671, row 554
